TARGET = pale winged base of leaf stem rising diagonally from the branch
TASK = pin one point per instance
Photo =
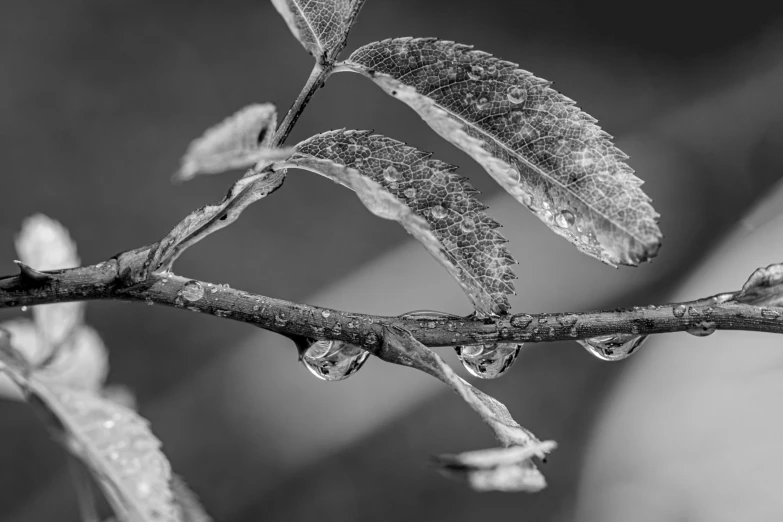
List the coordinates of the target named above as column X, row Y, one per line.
column 211, row 218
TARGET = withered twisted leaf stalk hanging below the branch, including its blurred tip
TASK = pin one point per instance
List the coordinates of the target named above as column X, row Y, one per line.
column 511, row 470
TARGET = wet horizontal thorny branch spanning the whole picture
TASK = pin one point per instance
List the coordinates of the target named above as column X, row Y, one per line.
column 110, row 280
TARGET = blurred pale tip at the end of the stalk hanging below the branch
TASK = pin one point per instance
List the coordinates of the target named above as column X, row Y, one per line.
column 497, row 469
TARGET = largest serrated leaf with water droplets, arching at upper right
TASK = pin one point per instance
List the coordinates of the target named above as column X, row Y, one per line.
column 533, row 141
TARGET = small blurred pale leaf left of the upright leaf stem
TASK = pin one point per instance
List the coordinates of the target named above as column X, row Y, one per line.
column 239, row 141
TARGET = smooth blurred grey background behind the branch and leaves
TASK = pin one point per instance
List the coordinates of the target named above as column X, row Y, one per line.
column 100, row 98
